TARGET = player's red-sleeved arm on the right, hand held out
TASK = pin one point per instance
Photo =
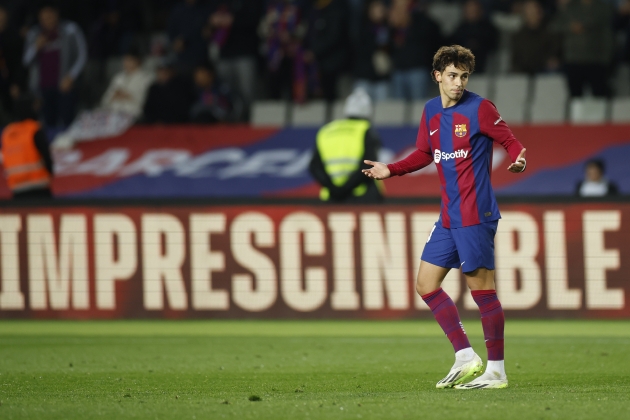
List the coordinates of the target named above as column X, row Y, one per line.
column 492, row 125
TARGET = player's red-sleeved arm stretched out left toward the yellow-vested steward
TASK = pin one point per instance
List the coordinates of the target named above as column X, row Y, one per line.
column 420, row 158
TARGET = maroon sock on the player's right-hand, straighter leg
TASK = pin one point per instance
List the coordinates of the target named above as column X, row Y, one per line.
column 492, row 320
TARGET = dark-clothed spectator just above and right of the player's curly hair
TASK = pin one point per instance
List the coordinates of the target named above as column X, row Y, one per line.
column 477, row 33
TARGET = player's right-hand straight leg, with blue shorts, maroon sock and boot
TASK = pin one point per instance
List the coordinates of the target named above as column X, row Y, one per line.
column 476, row 246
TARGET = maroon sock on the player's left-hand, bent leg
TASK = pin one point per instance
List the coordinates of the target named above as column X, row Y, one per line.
column 446, row 315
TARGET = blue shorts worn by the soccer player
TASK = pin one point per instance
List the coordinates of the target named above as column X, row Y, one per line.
column 469, row 247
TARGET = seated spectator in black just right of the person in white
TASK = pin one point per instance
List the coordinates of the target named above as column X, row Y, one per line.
column 169, row 98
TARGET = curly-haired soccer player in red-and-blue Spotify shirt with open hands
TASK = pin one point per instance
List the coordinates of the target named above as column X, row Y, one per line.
column 456, row 132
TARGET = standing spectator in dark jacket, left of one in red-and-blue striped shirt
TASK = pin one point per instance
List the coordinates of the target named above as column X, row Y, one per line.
column 233, row 30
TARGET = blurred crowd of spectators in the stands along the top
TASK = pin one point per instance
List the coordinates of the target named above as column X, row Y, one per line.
column 205, row 61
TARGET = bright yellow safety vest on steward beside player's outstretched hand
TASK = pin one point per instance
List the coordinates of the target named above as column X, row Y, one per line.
column 341, row 145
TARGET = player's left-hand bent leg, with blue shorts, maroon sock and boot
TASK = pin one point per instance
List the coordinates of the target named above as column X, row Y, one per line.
column 438, row 257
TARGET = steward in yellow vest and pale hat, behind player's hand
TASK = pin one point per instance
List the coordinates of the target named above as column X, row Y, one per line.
column 341, row 148
